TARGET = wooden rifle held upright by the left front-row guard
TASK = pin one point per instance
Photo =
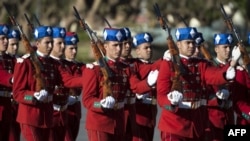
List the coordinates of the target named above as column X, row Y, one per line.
column 29, row 49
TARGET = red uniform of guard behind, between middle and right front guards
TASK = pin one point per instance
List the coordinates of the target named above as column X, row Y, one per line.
column 146, row 109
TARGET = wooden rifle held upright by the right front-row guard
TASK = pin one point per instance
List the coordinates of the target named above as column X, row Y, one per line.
column 178, row 68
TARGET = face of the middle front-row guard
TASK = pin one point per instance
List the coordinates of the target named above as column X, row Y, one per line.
column 113, row 49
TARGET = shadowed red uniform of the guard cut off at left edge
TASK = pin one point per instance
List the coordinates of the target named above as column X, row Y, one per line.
column 6, row 69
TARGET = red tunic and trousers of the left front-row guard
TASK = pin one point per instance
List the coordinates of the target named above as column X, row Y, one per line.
column 37, row 116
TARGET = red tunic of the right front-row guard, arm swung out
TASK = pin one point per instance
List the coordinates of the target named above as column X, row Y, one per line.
column 183, row 120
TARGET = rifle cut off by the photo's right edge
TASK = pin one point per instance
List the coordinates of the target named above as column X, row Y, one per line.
column 230, row 25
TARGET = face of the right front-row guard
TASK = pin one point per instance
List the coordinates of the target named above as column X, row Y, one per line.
column 186, row 47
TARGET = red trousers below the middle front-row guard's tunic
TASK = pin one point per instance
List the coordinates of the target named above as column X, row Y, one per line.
column 103, row 136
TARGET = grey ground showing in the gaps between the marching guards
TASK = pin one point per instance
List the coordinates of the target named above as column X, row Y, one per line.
column 82, row 136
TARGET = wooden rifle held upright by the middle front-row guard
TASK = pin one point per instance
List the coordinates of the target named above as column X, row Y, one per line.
column 97, row 46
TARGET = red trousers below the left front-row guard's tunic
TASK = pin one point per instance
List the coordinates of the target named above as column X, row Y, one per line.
column 31, row 133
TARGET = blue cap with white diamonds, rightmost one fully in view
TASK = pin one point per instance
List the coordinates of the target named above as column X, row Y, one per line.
column 223, row 38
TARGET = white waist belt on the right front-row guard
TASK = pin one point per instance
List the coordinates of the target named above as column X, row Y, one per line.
column 193, row 104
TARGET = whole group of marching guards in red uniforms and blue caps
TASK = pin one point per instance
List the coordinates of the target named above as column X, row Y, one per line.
column 209, row 98
